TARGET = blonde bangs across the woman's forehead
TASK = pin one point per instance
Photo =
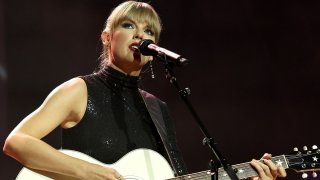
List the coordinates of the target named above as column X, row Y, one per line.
column 140, row 12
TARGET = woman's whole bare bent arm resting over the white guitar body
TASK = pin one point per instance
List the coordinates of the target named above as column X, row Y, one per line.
column 65, row 105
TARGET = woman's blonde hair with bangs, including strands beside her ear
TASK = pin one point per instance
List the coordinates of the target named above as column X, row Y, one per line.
column 140, row 11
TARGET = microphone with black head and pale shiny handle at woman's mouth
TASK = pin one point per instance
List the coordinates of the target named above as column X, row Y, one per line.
column 148, row 48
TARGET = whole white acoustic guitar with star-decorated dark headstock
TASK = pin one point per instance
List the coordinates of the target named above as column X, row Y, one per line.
column 145, row 164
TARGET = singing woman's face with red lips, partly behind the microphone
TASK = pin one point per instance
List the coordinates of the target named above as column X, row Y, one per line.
column 127, row 34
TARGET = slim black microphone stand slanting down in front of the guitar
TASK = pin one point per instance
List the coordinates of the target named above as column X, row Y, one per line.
column 218, row 159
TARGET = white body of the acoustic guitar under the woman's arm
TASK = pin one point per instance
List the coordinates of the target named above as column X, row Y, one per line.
column 139, row 164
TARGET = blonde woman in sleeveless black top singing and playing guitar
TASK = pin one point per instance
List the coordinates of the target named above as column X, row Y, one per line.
column 104, row 114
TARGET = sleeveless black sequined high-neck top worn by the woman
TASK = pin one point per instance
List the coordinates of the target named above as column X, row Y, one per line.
column 117, row 121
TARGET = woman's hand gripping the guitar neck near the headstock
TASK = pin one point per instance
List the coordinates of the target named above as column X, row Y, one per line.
column 267, row 170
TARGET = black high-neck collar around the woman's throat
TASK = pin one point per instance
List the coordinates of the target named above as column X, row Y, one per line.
column 109, row 74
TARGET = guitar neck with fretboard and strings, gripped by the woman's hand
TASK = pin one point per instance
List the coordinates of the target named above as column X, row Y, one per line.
column 243, row 171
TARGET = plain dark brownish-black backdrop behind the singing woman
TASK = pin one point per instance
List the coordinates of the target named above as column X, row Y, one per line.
column 254, row 71
